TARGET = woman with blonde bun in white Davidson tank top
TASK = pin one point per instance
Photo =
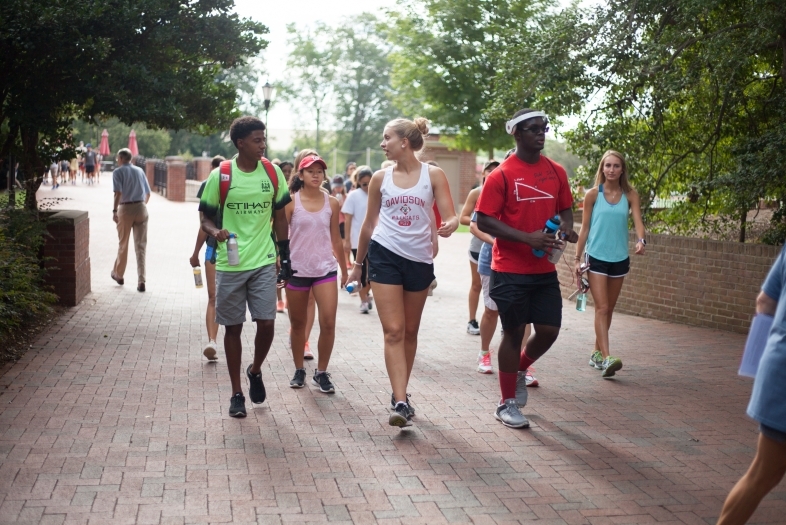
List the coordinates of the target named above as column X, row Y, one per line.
column 396, row 235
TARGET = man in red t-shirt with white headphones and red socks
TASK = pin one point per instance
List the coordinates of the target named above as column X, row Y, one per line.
column 518, row 198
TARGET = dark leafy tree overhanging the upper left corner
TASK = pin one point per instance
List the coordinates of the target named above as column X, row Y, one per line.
column 127, row 59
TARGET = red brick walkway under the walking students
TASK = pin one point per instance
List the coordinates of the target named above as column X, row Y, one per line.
column 114, row 417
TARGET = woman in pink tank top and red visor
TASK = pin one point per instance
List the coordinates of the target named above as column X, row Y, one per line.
column 316, row 253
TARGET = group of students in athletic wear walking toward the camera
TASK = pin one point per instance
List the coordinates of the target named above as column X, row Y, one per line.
column 285, row 232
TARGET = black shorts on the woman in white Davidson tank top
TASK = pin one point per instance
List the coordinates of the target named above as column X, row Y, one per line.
column 390, row 268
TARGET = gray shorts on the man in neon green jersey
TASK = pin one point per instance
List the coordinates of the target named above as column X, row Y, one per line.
column 234, row 290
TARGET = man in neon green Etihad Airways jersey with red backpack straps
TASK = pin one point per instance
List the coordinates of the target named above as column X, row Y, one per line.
column 250, row 204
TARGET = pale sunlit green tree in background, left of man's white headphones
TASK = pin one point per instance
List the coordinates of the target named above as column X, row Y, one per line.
column 447, row 58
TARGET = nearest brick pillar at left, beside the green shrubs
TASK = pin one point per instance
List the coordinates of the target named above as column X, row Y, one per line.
column 68, row 246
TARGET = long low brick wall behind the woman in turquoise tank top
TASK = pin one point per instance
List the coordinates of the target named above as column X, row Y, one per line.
column 691, row 281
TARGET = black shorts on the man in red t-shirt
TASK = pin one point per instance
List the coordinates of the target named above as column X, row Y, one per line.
column 524, row 299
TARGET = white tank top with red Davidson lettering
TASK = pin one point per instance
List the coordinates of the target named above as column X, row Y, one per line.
column 404, row 225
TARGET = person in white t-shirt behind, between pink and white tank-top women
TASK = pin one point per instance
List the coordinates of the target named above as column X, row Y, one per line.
column 354, row 210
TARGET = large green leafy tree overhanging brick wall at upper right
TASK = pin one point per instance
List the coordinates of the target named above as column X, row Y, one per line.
column 692, row 91
